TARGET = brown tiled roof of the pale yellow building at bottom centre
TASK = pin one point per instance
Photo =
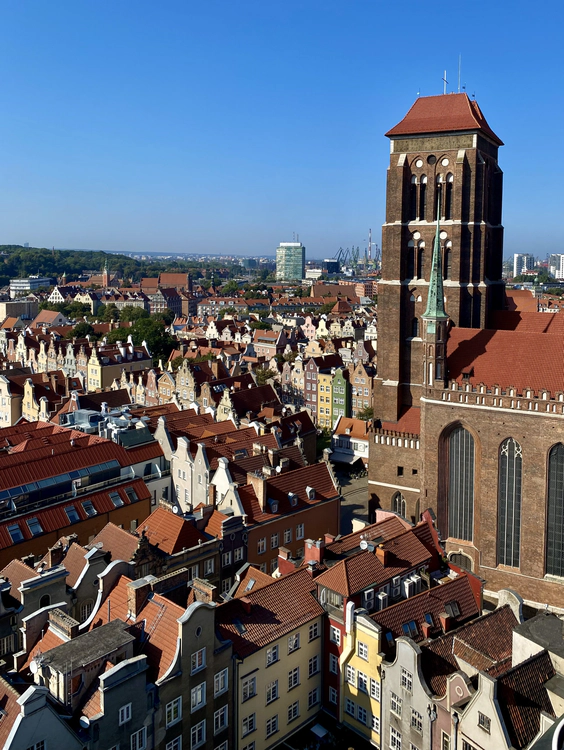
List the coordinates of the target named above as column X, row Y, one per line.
column 265, row 615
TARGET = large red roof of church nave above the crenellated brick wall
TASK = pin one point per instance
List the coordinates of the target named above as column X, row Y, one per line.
column 489, row 357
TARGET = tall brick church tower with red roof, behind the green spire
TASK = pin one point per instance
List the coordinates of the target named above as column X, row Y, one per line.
column 443, row 166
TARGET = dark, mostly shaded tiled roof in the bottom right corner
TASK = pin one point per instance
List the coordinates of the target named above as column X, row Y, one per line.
column 522, row 697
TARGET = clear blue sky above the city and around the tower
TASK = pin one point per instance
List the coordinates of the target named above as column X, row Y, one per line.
column 221, row 126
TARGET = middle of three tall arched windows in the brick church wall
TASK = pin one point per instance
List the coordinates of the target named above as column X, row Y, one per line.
column 509, row 503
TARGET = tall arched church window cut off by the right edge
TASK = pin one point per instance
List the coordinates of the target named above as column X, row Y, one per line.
column 555, row 512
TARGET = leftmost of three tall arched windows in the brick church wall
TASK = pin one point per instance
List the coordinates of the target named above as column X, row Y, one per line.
column 461, row 484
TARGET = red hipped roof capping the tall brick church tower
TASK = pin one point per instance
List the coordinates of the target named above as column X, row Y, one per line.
column 440, row 114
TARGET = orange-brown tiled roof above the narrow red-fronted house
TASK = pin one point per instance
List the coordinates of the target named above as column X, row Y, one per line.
column 353, row 574
